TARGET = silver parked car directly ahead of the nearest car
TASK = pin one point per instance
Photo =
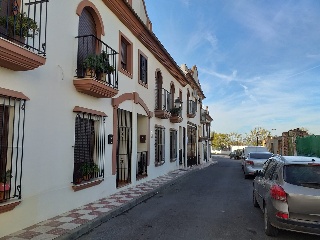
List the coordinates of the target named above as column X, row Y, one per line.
column 254, row 162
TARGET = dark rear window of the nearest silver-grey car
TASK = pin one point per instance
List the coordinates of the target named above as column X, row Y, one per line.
column 303, row 175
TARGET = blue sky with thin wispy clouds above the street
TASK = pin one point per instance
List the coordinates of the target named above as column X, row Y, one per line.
column 258, row 61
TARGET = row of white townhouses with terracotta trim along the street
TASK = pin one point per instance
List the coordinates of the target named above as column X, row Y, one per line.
column 90, row 103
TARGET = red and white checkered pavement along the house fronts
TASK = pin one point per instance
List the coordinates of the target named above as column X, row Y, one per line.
column 64, row 225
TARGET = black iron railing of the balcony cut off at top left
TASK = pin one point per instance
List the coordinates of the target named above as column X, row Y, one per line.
column 24, row 22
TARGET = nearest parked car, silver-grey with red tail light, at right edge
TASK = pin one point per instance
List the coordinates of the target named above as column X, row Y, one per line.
column 288, row 192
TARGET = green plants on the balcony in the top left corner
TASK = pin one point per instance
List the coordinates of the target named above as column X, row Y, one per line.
column 19, row 23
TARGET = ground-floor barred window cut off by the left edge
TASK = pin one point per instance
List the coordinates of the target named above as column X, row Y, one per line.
column 12, row 123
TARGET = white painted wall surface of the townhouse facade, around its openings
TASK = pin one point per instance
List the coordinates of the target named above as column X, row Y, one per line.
column 49, row 132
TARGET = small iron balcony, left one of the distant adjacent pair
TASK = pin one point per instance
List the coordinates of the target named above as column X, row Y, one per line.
column 163, row 104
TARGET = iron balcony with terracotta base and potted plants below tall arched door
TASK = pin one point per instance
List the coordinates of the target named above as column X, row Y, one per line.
column 96, row 71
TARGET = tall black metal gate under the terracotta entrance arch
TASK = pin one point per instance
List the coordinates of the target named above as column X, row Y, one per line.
column 124, row 147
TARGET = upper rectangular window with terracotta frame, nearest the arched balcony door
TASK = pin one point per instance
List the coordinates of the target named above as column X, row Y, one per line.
column 125, row 55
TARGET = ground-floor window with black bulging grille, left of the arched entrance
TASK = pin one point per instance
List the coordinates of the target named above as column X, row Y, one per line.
column 89, row 148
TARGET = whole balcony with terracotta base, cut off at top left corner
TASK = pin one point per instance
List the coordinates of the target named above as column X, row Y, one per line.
column 23, row 28
